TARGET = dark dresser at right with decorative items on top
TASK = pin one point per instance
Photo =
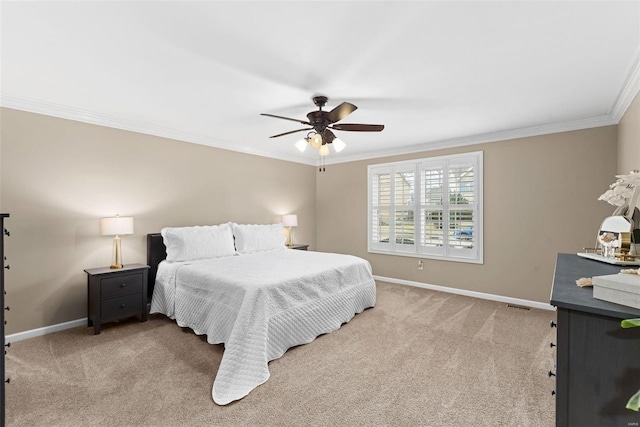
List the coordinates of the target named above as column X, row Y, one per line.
column 597, row 361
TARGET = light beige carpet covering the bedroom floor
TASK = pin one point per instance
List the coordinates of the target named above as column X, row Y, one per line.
column 419, row 358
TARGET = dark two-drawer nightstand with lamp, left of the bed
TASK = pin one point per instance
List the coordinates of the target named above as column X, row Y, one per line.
column 115, row 294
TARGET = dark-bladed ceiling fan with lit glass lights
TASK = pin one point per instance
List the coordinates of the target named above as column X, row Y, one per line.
column 322, row 123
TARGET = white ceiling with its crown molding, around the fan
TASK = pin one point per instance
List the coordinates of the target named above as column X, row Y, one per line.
column 435, row 73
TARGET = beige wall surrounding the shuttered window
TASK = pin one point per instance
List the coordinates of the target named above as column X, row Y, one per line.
column 540, row 198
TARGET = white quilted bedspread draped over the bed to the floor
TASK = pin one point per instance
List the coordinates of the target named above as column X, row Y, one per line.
column 260, row 305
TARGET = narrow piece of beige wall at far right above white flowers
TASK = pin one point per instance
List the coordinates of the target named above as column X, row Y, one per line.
column 629, row 138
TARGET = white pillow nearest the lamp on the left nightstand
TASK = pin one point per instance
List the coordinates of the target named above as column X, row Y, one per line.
column 198, row 242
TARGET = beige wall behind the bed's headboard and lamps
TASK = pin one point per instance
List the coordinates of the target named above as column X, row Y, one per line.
column 59, row 177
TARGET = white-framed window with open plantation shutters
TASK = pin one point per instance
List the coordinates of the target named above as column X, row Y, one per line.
column 429, row 208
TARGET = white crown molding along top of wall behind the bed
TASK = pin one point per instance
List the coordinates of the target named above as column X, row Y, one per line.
column 85, row 116
